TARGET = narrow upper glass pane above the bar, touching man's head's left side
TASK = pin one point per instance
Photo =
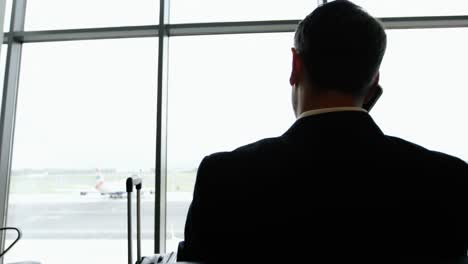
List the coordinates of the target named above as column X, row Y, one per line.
column 191, row 11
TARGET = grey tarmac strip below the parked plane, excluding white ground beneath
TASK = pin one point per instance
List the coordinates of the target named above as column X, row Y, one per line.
column 90, row 216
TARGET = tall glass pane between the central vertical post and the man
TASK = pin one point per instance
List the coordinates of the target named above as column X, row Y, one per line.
column 232, row 91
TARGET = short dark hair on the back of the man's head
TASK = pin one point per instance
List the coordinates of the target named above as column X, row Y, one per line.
column 341, row 46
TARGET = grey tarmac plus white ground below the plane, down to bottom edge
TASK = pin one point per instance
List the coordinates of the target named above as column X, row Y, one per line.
column 84, row 229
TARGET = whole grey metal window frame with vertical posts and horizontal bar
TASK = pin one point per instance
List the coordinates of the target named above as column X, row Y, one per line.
column 16, row 37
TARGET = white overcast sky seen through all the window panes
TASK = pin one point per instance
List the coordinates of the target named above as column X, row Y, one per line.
column 92, row 104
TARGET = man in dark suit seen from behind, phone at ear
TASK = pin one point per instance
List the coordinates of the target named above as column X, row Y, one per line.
column 333, row 185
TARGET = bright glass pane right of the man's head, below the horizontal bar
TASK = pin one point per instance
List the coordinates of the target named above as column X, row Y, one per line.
column 424, row 80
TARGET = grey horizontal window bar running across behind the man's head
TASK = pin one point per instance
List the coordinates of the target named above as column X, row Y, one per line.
column 216, row 28
